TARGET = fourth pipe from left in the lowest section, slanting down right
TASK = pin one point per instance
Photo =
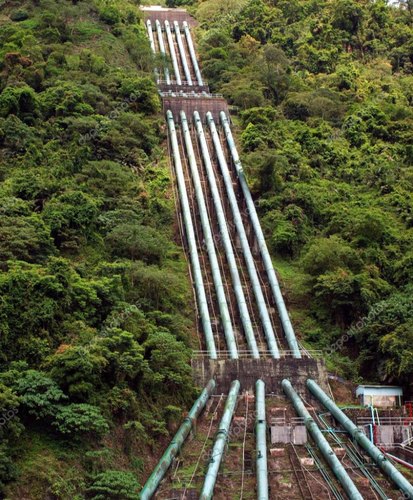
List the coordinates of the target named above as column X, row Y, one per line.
column 322, row 443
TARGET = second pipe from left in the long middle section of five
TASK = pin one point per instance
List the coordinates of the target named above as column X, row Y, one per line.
column 209, row 242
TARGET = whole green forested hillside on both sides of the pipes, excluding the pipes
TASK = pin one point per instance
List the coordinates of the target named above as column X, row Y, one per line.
column 97, row 318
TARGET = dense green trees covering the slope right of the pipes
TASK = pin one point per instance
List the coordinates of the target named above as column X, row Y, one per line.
column 324, row 91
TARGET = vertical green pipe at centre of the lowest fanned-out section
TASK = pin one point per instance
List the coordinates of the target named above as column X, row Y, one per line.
column 261, row 441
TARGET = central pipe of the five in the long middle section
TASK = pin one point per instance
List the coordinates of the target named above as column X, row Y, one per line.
column 226, row 240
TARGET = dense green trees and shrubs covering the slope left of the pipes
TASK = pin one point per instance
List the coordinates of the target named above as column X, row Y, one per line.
column 95, row 314
